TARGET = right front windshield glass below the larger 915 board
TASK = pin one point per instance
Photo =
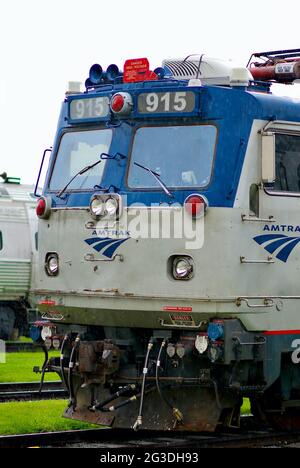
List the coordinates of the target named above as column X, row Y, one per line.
column 181, row 155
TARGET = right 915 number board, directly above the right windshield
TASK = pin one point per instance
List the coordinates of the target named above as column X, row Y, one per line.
column 170, row 102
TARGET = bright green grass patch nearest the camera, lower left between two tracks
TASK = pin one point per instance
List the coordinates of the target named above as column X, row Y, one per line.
column 36, row 416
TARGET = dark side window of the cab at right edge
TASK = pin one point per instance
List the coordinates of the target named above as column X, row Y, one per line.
column 287, row 163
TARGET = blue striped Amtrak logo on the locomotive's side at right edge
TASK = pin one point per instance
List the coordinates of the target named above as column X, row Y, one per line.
column 284, row 244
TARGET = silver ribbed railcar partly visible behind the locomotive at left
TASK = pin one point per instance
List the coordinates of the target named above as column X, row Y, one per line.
column 18, row 255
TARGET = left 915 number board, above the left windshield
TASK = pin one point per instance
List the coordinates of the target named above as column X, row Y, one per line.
column 87, row 109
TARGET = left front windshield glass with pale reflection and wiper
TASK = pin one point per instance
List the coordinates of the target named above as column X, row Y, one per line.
column 76, row 151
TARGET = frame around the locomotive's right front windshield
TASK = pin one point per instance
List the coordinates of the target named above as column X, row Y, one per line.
column 171, row 187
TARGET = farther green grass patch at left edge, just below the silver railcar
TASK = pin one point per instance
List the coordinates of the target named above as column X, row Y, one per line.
column 18, row 367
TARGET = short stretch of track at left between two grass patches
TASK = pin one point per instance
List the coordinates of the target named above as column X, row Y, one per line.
column 29, row 391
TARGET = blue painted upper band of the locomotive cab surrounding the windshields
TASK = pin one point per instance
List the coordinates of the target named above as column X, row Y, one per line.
column 232, row 111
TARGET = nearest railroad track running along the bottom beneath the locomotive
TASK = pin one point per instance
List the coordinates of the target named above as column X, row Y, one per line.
column 109, row 439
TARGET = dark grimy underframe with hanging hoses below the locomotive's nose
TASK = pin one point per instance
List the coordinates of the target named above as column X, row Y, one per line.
column 186, row 387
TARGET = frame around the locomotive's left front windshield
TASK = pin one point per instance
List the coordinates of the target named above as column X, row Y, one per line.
column 69, row 130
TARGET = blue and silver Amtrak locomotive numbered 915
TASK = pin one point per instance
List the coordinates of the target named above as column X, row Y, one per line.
column 169, row 248
